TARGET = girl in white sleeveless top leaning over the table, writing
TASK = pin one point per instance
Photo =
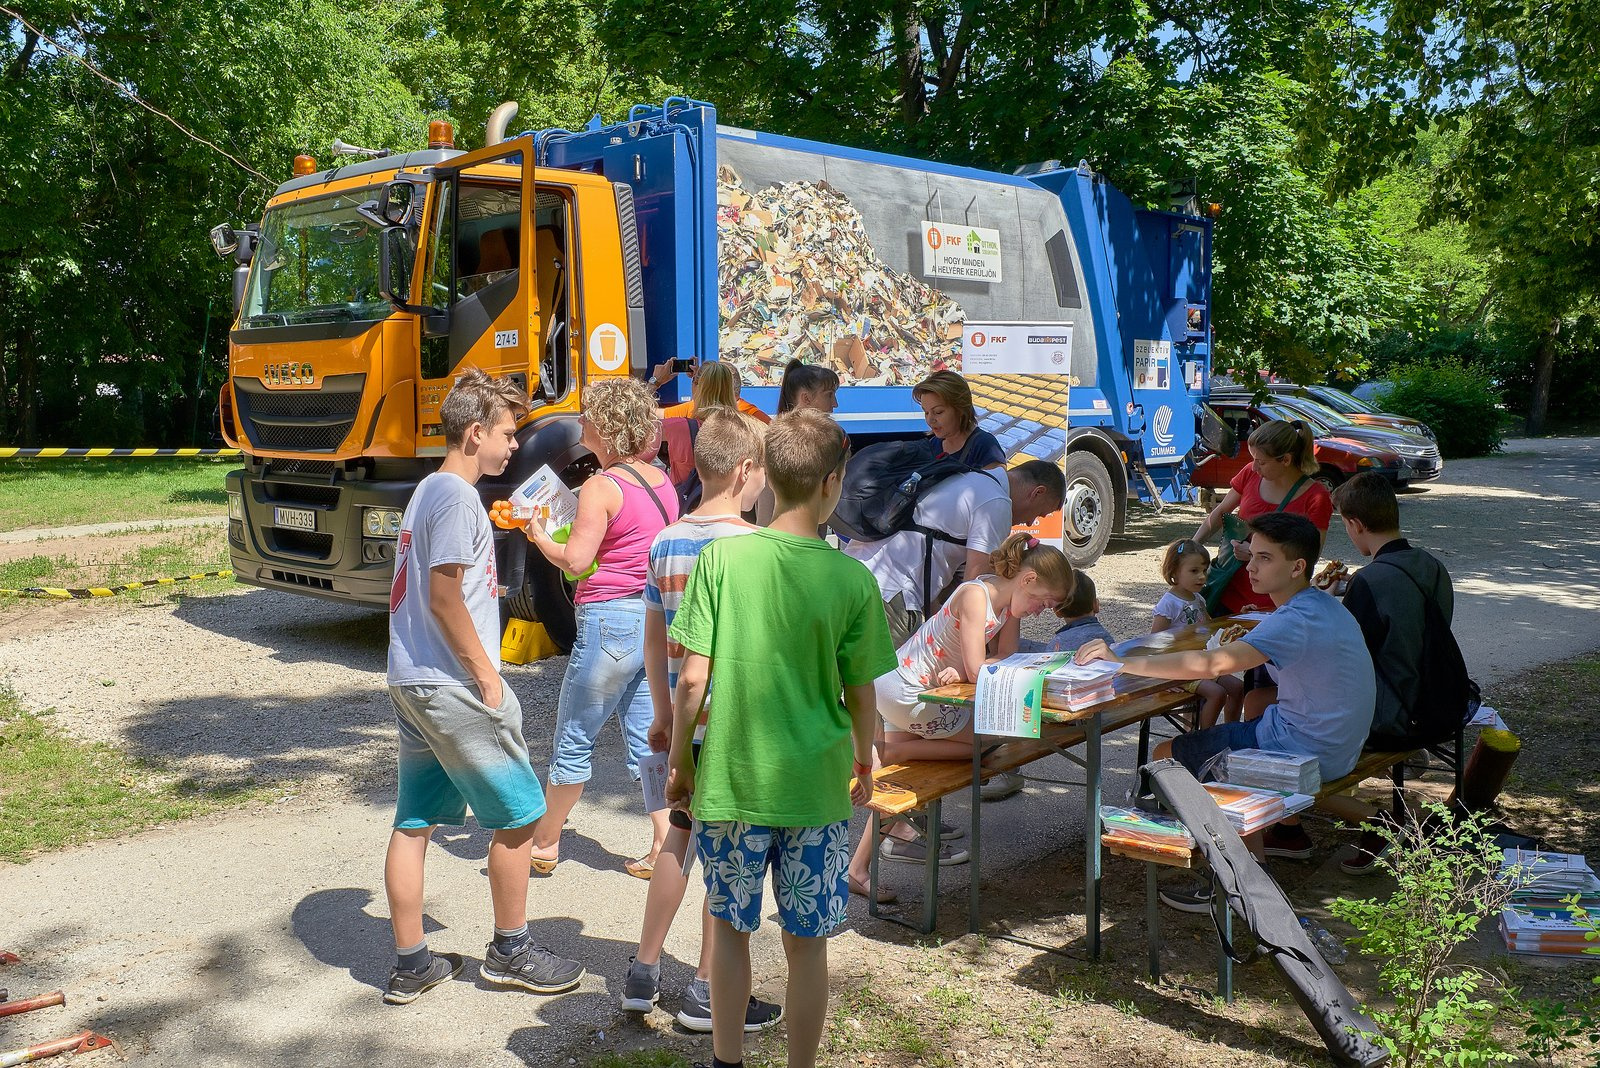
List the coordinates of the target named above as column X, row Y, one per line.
column 977, row 626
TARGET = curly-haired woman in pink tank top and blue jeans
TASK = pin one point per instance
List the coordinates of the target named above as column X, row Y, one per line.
column 620, row 512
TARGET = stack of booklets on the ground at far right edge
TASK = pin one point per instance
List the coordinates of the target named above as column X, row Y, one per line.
column 1540, row 919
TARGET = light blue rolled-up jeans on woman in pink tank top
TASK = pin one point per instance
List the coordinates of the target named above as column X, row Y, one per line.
column 606, row 677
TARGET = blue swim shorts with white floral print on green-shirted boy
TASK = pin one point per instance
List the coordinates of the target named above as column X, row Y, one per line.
column 809, row 864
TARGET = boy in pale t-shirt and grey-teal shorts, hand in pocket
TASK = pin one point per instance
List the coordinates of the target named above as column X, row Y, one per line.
column 460, row 725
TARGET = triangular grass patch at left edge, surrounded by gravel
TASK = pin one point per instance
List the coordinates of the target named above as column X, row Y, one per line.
column 58, row 792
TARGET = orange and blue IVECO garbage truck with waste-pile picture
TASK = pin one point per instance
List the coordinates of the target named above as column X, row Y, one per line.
column 564, row 257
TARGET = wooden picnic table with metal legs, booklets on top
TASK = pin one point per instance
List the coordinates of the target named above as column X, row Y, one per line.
column 1135, row 701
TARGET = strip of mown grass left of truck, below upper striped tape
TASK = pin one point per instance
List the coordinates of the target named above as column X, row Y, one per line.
column 70, row 493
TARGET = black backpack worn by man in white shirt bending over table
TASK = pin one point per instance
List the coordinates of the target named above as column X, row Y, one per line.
column 882, row 488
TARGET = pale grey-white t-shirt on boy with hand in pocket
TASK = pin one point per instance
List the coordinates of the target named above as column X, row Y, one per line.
column 446, row 524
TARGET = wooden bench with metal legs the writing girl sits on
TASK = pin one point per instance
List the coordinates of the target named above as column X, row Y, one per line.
column 922, row 786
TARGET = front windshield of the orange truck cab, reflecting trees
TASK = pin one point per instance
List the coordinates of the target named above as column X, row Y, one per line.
column 318, row 263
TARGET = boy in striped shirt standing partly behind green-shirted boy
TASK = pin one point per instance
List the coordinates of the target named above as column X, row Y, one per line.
column 729, row 460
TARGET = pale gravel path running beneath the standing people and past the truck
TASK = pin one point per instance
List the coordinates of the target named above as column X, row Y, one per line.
column 207, row 942
